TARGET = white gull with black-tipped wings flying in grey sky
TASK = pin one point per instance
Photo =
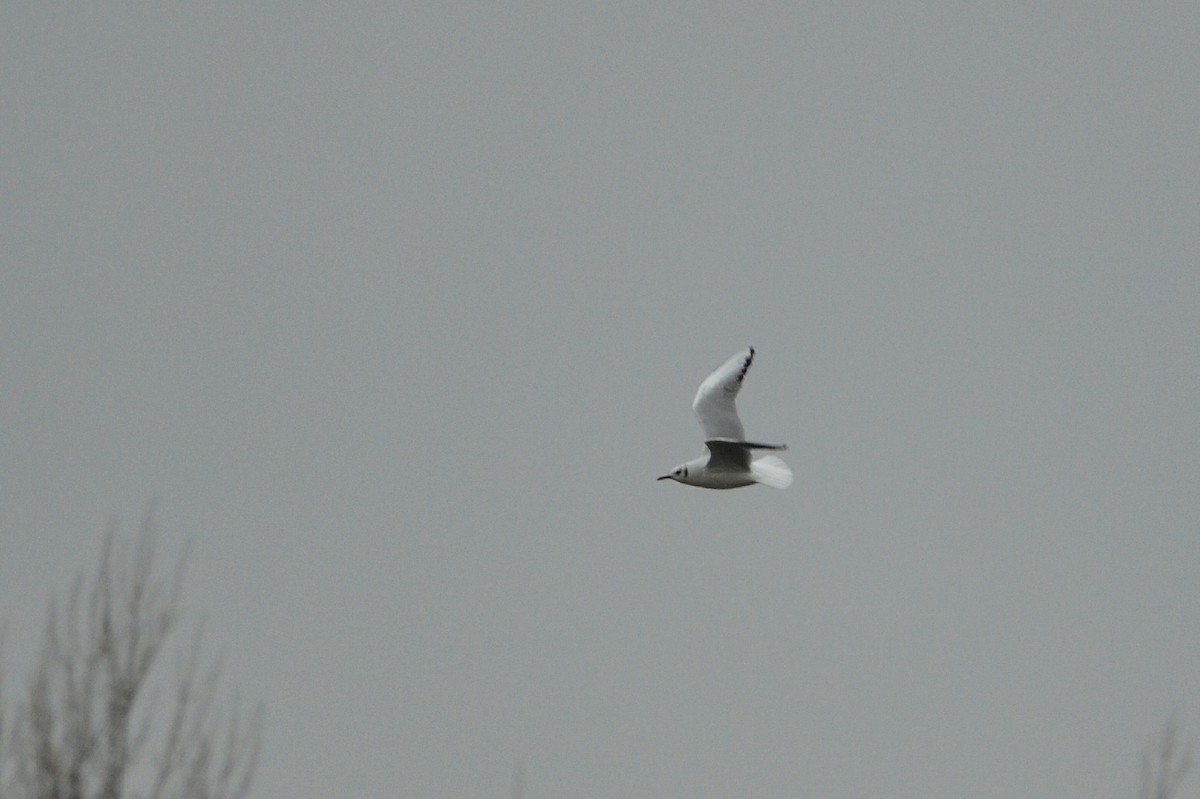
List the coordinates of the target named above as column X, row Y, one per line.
column 728, row 464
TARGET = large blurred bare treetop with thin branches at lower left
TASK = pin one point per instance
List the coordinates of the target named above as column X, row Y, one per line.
column 83, row 729
